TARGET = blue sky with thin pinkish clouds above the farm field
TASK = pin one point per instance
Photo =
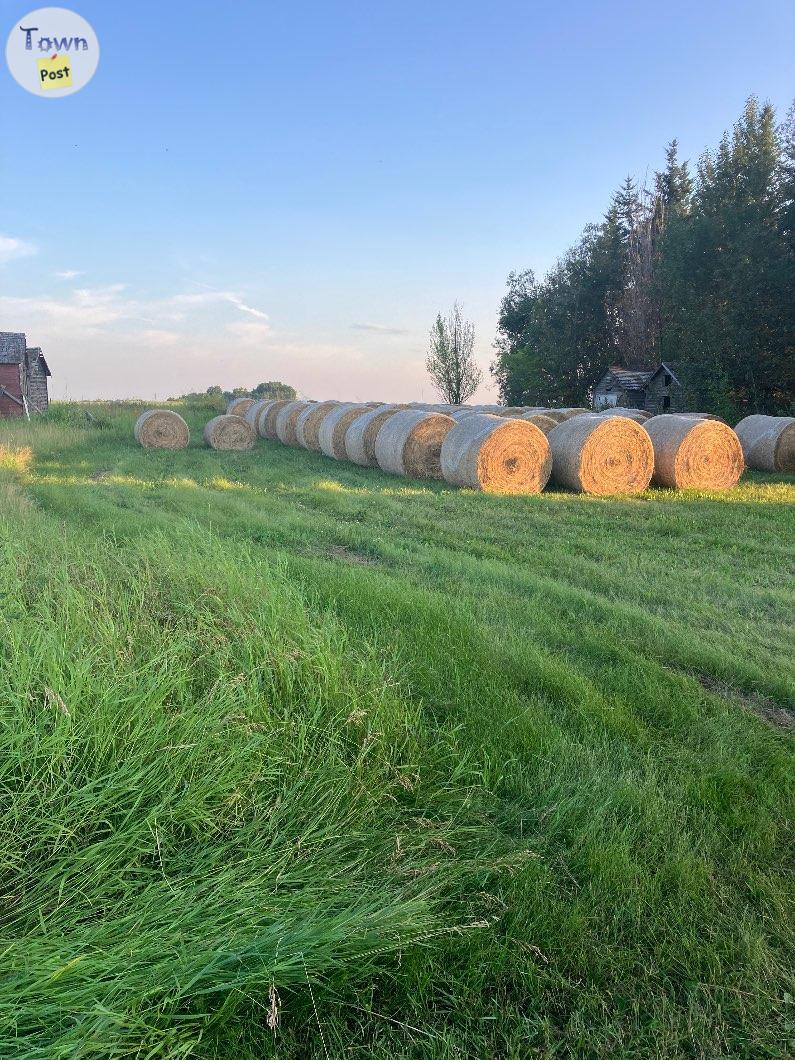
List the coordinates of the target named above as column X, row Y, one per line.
column 249, row 191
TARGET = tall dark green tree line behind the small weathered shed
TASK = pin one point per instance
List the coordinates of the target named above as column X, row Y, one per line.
column 697, row 271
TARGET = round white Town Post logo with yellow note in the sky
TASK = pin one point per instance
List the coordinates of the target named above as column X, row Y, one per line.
column 52, row 52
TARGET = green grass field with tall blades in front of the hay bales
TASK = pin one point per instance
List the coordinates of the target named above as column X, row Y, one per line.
column 417, row 773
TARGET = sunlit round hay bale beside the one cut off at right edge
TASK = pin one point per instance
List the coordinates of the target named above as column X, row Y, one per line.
column 695, row 454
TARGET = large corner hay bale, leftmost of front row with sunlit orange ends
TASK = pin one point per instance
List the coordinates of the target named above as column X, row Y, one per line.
column 497, row 455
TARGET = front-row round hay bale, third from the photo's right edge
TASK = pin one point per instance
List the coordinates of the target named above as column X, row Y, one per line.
column 602, row 455
